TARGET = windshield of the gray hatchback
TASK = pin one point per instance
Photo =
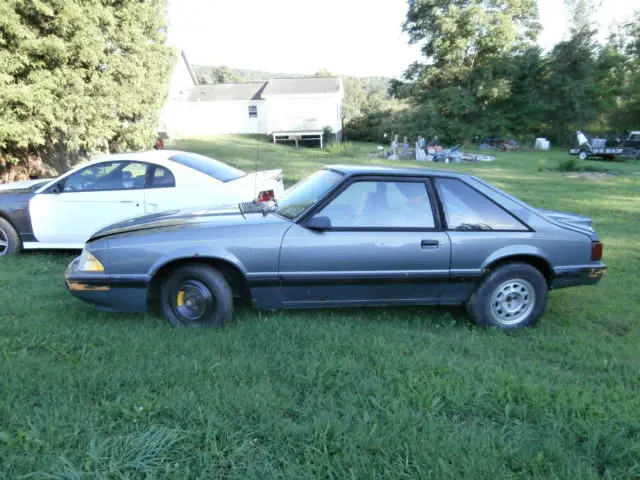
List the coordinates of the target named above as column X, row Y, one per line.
column 305, row 193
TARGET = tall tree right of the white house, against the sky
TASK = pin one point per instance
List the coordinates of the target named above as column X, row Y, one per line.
column 467, row 46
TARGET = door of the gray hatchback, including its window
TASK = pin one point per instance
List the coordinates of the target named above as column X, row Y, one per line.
column 384, row 246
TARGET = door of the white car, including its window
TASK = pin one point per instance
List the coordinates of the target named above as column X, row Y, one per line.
column 68, row 212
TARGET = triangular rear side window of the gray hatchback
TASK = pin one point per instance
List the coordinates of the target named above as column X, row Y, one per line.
column 466, row 209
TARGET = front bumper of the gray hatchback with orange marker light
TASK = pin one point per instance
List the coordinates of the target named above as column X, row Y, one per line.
column 106, row 292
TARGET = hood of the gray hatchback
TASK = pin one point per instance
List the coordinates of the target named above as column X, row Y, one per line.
column 219, row 217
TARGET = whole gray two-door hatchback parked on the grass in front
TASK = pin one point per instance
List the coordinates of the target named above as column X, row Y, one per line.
column 345, row 236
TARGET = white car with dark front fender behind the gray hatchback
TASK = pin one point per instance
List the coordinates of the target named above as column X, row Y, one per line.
column 62, row 213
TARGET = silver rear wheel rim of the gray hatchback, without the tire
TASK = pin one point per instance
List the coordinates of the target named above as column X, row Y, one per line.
column 513, row 301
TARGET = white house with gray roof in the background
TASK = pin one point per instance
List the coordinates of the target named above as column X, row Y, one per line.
column 283, row 108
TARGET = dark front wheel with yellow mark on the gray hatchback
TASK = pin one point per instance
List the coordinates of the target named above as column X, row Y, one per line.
column 196, row 295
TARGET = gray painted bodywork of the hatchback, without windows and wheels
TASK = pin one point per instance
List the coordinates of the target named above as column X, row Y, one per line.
column 288, row 265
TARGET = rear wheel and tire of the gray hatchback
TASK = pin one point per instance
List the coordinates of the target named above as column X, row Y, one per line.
column 512, row 296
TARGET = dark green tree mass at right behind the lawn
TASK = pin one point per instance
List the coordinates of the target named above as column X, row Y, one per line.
column 482, row 74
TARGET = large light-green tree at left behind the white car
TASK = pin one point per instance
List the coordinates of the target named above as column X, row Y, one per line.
column 79, row 77
